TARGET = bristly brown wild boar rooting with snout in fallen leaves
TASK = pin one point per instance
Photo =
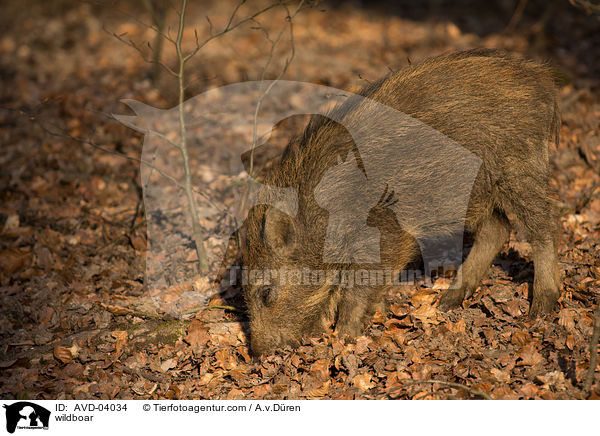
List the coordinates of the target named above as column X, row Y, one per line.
column 502, row 109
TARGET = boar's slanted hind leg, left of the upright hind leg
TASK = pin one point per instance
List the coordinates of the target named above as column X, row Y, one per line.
column 490, row 236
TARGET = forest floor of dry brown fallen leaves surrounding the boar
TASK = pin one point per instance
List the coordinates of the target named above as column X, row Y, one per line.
column 77, row 320
